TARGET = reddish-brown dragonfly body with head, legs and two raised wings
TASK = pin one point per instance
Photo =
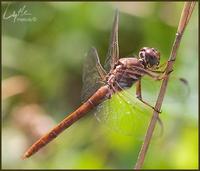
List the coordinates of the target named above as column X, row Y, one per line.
column 117, row 75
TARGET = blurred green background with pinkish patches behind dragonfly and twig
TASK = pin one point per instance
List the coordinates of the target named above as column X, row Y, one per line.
column 41, row 83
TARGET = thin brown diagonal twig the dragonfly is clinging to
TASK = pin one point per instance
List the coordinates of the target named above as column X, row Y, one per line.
column 185, row 16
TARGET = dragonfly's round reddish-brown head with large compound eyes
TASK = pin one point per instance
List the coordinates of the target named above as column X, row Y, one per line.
column 150, row 57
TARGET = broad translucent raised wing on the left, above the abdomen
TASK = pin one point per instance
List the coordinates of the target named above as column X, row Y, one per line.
column 93, row 74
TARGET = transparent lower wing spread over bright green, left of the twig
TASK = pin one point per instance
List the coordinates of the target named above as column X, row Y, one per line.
column 124, row 114
